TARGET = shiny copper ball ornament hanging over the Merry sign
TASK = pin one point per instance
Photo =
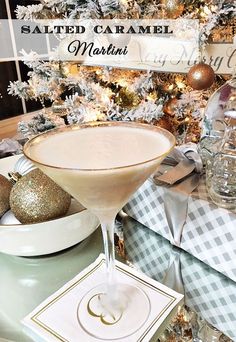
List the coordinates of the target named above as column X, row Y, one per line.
column 201, row 76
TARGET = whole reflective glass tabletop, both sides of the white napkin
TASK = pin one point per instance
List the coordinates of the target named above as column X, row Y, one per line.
column 26, row 282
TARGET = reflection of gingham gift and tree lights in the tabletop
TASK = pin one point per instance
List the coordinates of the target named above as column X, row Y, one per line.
column 208, row 293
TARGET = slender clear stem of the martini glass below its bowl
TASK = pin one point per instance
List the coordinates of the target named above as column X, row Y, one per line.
column 109, row 248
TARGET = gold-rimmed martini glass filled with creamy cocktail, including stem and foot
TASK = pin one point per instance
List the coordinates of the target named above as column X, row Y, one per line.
column 102, row 164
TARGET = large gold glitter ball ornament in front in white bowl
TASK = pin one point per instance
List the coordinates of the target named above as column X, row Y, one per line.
column 36, row 198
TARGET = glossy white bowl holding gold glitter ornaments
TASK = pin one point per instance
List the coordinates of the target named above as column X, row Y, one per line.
column 47, row 237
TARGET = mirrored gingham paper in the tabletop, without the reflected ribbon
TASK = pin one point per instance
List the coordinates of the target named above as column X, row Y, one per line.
column 209, row 293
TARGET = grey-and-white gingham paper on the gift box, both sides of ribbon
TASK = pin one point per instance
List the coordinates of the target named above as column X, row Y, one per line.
column 209, row 232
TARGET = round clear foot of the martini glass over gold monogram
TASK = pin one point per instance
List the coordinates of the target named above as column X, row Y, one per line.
column 109, row 318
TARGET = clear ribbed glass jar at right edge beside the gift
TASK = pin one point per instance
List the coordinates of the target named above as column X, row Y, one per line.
column 221, row 166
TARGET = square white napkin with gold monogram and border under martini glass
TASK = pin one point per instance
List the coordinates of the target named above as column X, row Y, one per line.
column 67, row 314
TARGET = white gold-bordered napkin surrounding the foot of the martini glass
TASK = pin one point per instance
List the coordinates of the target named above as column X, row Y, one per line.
column 58, row 317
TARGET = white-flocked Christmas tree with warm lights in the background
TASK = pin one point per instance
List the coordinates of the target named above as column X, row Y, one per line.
column 82, row 93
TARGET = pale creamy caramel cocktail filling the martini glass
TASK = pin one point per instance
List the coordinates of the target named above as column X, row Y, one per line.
column 100, row 166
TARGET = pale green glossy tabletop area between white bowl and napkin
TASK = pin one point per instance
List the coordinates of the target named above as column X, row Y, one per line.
column 26, row 282
